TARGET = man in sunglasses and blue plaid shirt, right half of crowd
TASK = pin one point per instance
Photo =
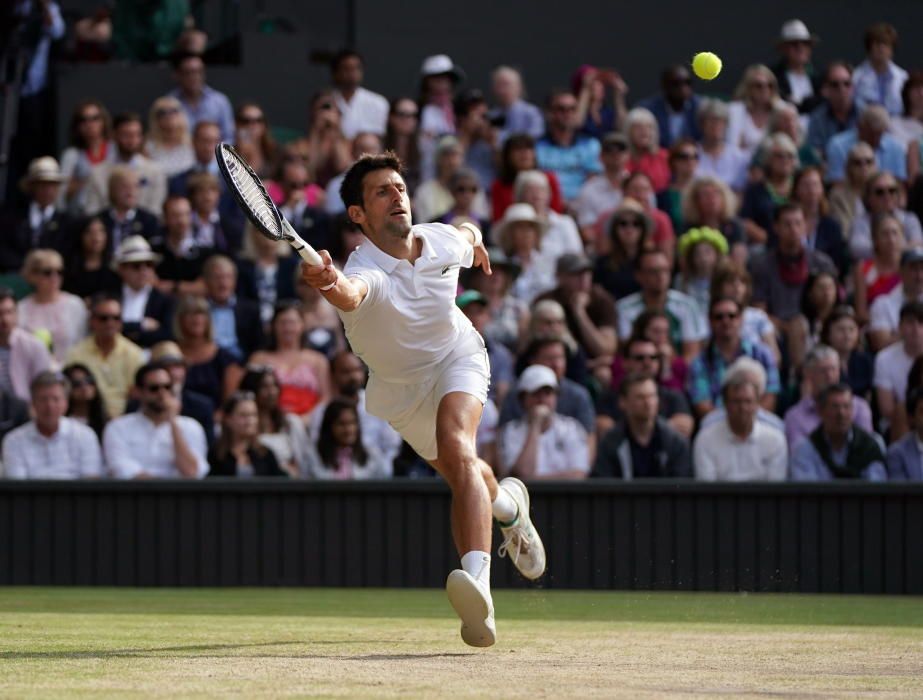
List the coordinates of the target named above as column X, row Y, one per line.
column 706, row 375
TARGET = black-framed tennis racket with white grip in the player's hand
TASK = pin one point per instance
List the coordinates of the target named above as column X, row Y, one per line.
column 256, row 203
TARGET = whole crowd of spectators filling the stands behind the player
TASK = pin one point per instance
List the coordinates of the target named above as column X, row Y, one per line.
column 682, row 286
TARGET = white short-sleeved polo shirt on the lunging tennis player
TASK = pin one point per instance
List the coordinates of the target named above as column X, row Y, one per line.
column 408, row 322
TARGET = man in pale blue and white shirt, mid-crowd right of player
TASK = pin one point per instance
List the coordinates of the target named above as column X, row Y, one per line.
column 687, row 325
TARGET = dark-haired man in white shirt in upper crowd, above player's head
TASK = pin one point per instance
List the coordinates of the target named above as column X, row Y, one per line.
column 360, row 109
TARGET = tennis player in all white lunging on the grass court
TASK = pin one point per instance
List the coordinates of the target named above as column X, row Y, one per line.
column 429, row 371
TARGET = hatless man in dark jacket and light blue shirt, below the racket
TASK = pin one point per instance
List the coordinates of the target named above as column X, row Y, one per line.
column 236, row 322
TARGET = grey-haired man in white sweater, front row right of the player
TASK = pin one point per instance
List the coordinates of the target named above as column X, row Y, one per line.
column 740, row 447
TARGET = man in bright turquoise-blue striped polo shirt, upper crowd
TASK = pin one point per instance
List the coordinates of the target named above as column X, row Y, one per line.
column 571, row 156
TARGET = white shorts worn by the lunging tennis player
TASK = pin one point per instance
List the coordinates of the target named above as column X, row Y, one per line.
column 411, row 408
